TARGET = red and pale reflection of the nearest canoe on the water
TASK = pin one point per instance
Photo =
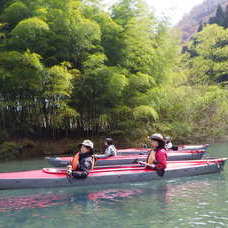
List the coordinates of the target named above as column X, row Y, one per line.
column 164, row 192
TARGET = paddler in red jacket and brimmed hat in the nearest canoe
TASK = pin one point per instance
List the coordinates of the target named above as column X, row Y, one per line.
column 157, row 159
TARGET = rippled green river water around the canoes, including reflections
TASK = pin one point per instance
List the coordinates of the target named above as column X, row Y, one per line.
column 200, row 201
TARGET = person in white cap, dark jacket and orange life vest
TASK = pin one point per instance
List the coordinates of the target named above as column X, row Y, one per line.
column 82, row 161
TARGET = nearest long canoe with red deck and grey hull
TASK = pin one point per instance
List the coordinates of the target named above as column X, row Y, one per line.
column 53, row 177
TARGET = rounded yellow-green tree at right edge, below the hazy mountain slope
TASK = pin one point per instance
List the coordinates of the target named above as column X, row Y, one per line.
column 211, row 55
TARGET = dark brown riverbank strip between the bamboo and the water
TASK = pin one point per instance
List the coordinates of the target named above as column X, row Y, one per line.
column 26, row 148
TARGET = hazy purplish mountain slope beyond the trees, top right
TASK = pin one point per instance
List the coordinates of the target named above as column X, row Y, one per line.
column 199, row 14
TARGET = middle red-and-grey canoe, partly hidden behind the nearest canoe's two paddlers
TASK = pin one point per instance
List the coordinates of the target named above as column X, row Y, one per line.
column 172, row 156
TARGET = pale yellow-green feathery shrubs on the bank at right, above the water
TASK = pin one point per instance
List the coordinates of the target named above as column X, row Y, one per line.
column 194, row 111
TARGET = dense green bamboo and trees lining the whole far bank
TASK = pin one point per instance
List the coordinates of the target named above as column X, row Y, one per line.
column 74, row 68
